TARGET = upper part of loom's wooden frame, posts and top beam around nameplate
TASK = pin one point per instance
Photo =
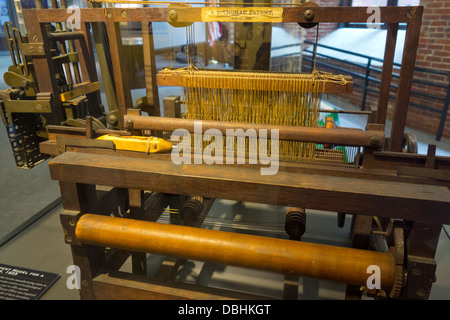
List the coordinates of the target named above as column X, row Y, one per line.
column 412, row 16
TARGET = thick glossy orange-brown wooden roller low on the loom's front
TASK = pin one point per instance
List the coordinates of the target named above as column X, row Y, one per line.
column 340, row 264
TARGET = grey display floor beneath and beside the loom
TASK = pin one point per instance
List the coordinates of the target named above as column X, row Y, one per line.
column 41, row 247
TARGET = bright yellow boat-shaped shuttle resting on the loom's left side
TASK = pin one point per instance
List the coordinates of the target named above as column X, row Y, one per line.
column 139, row 143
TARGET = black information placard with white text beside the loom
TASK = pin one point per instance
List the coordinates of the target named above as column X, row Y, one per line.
column 17, row 283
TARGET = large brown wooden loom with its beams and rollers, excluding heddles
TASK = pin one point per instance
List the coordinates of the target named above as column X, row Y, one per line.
column 406, row 193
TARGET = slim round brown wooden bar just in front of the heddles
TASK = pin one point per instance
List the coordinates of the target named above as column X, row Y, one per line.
column 338, row 136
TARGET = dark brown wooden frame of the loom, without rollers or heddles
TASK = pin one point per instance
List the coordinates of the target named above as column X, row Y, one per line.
column 126, row 176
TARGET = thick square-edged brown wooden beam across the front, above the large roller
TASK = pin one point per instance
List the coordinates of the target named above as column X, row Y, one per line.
column 340, row 194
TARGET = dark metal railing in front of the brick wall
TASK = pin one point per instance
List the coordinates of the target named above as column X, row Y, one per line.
column 366, row 75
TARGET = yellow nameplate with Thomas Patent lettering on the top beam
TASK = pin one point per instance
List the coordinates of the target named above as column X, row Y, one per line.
column 250, row 14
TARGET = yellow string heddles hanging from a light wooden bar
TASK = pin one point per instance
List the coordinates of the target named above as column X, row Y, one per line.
column 258, row 97
